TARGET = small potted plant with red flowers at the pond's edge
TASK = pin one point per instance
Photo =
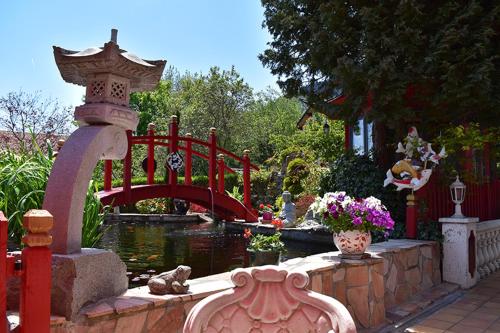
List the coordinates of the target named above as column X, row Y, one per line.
column 265, row 250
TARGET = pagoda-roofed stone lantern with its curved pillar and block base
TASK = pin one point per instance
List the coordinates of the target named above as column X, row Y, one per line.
column 110, row 74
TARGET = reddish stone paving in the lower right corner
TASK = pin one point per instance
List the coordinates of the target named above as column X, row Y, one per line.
column 478, row 311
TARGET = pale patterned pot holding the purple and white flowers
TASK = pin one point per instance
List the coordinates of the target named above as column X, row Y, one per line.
column 352, row 243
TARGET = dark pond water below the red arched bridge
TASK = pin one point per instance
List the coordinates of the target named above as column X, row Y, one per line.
column 151, row 248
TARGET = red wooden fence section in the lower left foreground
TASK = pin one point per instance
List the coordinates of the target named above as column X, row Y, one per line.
column 34, row 271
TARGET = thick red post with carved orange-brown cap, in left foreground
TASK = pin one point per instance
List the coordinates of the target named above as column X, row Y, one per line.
column 34, row 308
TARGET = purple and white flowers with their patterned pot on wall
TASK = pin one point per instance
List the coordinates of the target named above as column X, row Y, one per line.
column 352, row 220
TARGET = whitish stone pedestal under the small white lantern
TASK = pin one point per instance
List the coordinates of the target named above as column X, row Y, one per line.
column 459, row 250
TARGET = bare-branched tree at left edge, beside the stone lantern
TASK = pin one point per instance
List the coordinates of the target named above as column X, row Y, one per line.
column 26, row 116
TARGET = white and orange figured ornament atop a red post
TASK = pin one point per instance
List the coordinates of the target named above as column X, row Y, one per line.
column 413, row 170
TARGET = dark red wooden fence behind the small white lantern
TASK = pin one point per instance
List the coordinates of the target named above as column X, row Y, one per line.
column 481, row 200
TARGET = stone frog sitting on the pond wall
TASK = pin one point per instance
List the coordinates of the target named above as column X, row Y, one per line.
column 171, row 282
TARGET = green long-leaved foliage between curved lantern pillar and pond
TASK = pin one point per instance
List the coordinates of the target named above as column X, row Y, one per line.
column 93, row 217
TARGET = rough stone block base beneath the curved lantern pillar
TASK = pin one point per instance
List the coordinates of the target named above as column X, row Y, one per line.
column 83, row 278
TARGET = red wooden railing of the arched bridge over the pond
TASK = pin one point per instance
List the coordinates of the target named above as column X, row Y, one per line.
column 215, row 157
